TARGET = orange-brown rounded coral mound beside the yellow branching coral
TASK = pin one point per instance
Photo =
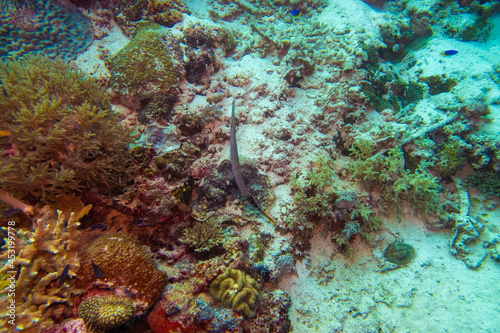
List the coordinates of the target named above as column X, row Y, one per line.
column 119, row 260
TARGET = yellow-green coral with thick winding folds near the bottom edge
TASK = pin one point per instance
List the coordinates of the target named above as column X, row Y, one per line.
column 237, row 290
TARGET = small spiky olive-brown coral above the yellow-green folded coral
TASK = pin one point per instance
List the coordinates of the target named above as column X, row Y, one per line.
column 203, row 236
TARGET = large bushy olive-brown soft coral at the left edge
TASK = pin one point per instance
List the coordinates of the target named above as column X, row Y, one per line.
column 63, row 135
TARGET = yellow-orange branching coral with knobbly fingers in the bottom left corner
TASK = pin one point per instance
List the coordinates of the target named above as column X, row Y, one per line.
column 41, row 257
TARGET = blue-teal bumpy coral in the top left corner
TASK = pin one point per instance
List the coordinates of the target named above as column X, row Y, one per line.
column 46, row 27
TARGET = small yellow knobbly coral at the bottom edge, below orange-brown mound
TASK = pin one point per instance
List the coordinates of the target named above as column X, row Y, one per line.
column 102, row 313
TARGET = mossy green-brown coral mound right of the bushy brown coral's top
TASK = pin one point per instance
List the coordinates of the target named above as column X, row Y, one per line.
column 145, row 63
